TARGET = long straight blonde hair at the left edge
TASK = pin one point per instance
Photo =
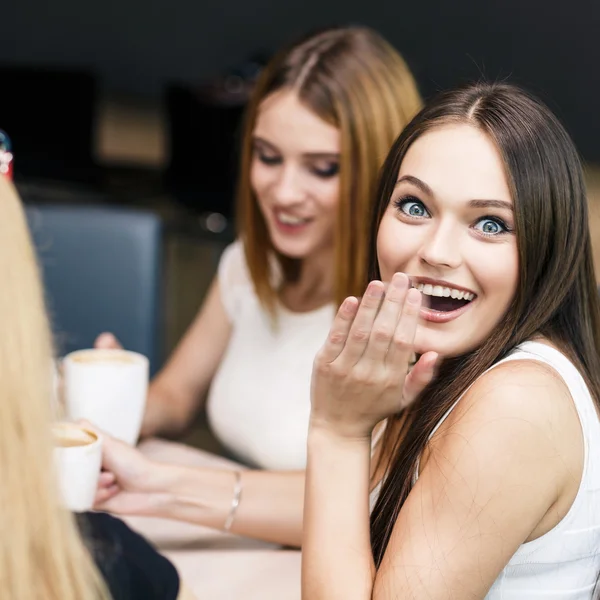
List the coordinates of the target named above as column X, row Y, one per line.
column 42, row 556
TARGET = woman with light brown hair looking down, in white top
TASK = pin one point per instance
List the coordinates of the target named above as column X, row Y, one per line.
column 322, row 119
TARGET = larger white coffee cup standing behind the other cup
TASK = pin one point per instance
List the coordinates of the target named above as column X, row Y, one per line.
column 108, row 388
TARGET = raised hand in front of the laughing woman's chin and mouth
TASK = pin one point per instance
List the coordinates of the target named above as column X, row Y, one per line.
column 360, row 376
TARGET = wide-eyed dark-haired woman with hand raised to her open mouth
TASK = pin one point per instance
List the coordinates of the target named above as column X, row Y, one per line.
column 489, row 479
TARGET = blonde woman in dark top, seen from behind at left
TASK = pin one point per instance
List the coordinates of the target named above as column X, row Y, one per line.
column 43, row 555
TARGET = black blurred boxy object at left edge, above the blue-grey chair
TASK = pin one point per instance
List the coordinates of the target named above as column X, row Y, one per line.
column 50, row 115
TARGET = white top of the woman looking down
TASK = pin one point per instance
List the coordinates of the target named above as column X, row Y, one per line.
column 259, row 401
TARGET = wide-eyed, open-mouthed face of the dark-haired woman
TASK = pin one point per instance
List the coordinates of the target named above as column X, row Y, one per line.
column 450, row 227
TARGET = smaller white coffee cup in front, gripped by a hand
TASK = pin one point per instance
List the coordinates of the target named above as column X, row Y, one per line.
column 78, row 459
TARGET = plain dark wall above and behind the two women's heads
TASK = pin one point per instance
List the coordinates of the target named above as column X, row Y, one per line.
column 136, row 46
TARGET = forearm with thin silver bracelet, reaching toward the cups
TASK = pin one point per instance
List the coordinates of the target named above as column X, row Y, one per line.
column 270, row 508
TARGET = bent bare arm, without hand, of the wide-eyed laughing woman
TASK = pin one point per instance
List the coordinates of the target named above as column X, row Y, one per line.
column 473, row 505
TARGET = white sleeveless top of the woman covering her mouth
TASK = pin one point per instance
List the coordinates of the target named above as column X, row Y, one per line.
column 564, row 563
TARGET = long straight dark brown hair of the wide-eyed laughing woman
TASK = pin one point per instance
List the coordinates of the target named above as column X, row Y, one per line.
column 556, row 293
